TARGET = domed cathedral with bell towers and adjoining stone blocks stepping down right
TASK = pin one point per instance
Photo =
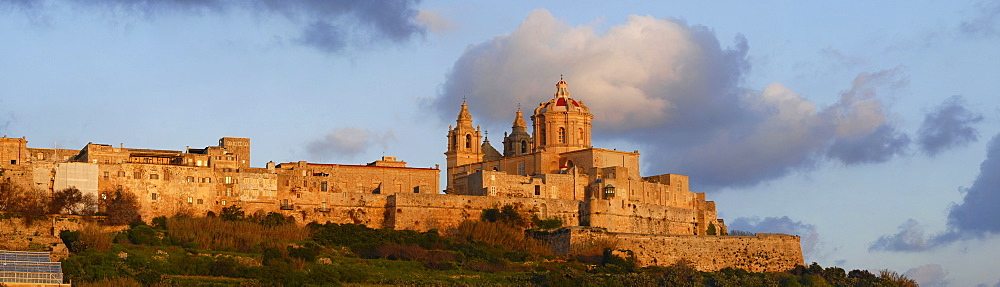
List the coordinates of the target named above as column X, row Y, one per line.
column 557, row 161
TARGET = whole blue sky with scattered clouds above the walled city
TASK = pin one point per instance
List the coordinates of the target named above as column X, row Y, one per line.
column 871, row 129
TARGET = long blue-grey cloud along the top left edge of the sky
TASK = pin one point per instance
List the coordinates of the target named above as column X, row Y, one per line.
column 328, row 26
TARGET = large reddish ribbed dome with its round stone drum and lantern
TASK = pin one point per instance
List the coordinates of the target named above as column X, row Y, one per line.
column 562, row 124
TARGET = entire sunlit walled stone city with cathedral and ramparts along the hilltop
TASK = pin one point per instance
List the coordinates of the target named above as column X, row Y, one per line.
column 552, row 171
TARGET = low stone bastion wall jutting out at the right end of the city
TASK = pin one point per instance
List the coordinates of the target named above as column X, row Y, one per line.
column 762, row 253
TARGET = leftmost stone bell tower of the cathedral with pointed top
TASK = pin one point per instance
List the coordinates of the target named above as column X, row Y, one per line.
column 463, row 143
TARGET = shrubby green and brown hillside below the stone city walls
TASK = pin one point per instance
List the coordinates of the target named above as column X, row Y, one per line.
column 503, row 248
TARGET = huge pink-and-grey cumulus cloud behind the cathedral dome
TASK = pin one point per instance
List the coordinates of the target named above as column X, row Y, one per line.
column 675, row 90
